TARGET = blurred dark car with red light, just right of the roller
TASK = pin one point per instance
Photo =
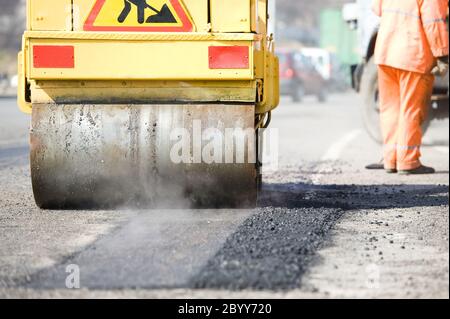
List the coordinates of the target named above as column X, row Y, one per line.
column 299, row 77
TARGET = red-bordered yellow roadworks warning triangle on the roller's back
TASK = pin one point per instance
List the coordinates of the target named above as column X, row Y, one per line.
column 139, row 16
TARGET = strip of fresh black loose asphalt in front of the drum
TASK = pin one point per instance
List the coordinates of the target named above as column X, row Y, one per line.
column 270, row 251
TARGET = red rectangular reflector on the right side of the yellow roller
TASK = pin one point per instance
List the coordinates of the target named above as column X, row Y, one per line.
column 231, row 57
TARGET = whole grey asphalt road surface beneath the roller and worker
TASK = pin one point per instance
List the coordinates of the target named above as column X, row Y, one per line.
column 325, row 227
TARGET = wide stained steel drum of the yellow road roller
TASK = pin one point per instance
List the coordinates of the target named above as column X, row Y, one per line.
column 106, row 156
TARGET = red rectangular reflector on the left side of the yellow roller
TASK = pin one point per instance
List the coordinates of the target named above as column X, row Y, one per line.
column 53, row 56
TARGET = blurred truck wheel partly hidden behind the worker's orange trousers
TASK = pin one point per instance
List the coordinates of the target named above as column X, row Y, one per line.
column 371, row 109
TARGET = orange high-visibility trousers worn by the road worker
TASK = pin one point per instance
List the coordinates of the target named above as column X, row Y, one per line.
column 404, row 102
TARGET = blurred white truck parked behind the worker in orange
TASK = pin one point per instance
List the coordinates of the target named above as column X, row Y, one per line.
column 359, row 15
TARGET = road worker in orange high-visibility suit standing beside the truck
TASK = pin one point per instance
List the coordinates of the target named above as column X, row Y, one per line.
column 412, row 47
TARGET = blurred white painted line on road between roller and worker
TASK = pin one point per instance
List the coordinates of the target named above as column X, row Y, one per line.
column 333, row 154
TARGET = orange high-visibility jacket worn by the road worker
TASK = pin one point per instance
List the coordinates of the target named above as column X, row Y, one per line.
column 413, row 33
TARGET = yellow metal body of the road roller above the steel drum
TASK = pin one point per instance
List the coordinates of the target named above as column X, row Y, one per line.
column 153, row 63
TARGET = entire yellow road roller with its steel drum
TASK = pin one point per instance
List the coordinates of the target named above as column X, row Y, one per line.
column 147, row 103
